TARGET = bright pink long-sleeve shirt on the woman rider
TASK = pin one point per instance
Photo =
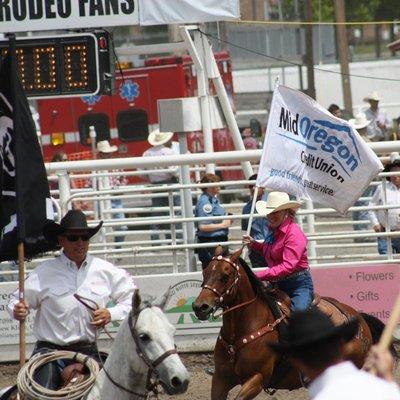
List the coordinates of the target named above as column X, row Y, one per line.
column 286, row 255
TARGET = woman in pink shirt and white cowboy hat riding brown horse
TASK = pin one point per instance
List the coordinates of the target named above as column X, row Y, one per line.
column 284, row 250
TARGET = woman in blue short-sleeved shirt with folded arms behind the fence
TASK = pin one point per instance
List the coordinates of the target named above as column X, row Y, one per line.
column 208, row 231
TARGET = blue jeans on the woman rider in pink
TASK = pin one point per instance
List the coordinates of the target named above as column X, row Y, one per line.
column 300, row 289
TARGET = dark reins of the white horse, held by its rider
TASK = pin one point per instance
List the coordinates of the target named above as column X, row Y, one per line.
column 152, row 365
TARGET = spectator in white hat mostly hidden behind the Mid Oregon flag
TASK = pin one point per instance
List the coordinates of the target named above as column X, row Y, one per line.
column 360, row 123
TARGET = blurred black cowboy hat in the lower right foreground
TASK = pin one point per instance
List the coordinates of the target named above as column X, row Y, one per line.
column 309, row 327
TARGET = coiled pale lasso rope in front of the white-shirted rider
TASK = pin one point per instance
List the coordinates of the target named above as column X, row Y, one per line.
column 30, row 389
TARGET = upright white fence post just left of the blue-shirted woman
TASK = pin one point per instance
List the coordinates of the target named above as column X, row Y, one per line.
column 187, row 204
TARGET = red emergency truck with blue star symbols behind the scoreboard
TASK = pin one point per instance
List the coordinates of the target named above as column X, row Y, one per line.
column 126, row 117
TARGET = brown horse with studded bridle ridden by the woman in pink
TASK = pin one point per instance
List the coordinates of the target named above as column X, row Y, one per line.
column 251, row 319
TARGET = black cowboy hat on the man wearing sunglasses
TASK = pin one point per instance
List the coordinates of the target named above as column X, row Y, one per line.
column 73, row 221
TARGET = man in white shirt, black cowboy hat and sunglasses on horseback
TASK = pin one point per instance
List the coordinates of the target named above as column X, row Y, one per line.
column 62, row 322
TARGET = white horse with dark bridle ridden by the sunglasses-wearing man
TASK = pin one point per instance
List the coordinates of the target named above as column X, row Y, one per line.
column 143, row 348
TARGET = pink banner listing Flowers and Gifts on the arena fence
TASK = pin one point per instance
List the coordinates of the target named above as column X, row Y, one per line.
column 369, row 288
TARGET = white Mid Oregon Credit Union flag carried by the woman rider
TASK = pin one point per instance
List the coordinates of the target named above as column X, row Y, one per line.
column 312, row 154
